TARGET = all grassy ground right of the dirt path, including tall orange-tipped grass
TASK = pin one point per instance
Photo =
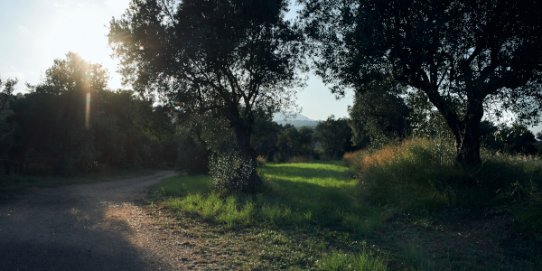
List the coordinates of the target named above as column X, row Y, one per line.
column 329, row 216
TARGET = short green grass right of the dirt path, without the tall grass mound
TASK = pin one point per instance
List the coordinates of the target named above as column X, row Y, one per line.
column 313, row 216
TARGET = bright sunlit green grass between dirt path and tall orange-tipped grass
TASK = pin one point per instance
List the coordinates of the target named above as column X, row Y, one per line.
column 296, row 194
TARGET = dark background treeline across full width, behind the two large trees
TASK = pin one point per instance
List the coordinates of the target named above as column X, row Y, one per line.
column 72, row 123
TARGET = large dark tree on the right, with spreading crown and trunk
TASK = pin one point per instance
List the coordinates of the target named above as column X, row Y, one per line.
column 466, row 56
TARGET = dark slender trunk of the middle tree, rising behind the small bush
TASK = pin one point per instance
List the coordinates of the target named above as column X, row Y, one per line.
column 243, row 136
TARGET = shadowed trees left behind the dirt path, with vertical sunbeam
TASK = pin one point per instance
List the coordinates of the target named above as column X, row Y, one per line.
column 71, row 123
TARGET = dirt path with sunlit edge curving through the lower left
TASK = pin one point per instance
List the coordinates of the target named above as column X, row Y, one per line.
column 83, row 227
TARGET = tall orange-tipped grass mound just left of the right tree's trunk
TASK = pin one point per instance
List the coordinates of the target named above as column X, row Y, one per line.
column 406, row 175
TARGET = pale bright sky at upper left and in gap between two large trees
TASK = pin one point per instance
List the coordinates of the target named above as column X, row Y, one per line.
column 36, row 32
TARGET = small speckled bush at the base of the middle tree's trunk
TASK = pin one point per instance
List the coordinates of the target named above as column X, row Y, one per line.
column 230, row 172
